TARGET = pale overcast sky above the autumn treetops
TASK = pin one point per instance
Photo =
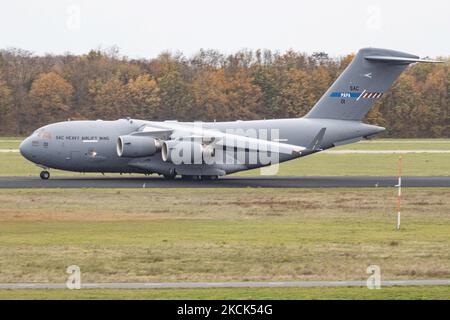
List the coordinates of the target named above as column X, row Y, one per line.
column 143, row 28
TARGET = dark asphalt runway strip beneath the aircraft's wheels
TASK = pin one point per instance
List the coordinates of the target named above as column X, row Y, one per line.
column 224, row 182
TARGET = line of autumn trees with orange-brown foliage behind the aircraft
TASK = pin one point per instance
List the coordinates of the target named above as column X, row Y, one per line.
column 250, row 84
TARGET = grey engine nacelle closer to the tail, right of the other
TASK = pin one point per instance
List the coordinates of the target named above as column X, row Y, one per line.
column 184, row 152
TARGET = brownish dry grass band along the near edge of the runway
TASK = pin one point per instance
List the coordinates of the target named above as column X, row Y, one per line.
column 113, row 204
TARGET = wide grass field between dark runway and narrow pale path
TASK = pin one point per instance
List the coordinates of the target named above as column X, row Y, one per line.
column 222, row 235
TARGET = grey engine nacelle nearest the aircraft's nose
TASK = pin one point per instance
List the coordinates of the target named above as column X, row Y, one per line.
column 137, row 146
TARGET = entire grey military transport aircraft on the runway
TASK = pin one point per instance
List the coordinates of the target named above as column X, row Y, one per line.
column 207, row 150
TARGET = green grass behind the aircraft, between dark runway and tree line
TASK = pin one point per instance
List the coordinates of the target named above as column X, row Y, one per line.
column 420, row 164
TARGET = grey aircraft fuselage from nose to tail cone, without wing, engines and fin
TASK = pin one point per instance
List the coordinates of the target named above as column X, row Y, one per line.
column 91, row 146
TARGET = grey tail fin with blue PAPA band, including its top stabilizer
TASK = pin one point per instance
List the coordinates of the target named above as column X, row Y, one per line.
column 363, row 82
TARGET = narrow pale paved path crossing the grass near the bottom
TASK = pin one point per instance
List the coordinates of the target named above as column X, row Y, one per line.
column 224, row 284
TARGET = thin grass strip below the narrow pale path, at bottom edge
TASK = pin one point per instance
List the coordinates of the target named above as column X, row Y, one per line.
column 437, row 292
